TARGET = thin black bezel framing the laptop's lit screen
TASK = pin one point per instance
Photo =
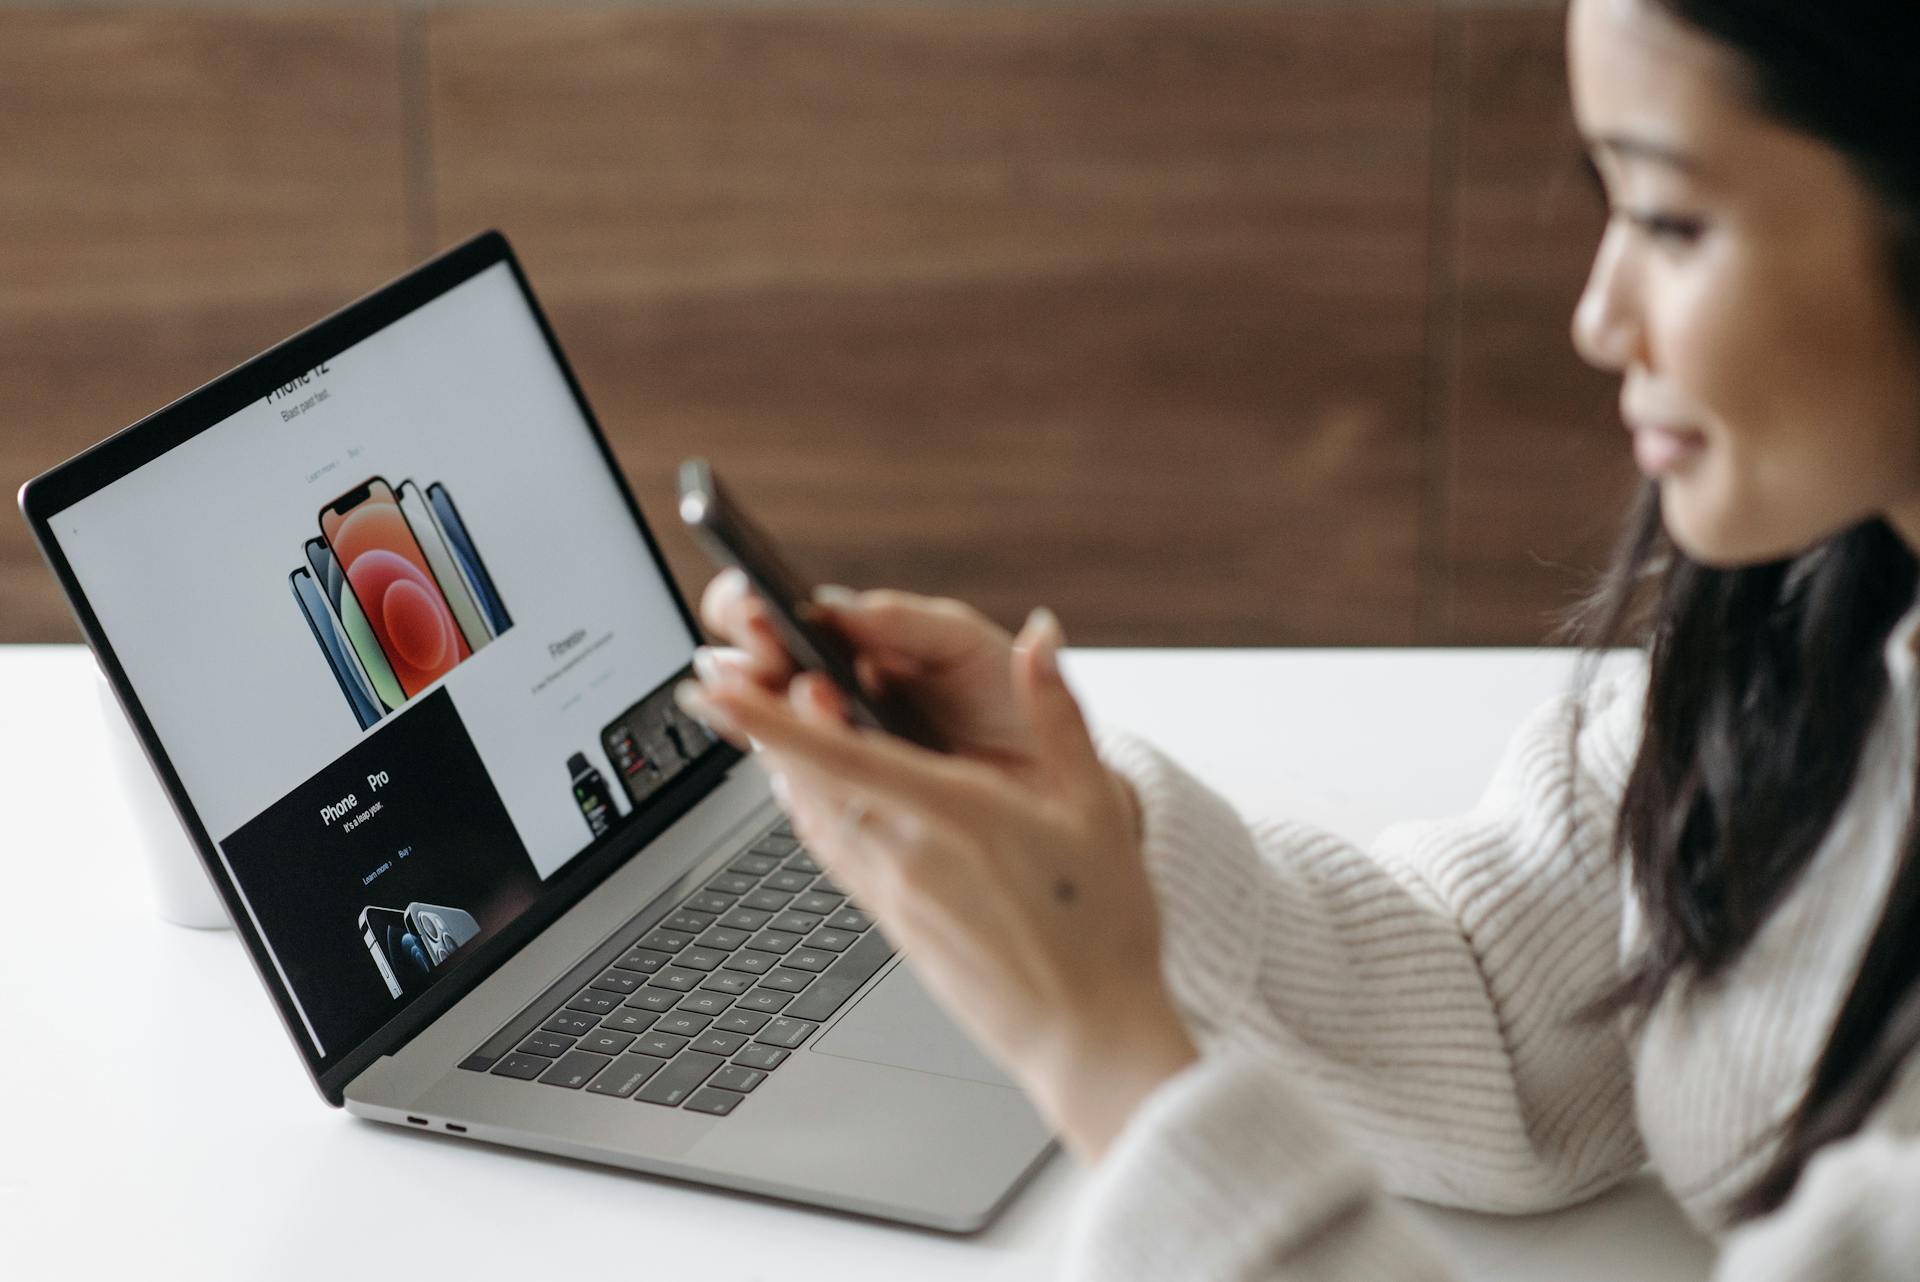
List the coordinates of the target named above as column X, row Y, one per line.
column 91, row 471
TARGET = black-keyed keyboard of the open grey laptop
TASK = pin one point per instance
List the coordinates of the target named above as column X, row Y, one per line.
column 706, row 1003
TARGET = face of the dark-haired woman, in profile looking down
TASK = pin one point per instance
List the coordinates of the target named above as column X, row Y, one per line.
column 1742, row 293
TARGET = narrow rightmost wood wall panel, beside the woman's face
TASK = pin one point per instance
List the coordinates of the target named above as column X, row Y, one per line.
column 1539, row 471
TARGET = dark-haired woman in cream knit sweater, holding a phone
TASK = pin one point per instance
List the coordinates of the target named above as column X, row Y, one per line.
column 1685, row 922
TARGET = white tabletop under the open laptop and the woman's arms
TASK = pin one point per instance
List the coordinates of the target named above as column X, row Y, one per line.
column 158, row 1126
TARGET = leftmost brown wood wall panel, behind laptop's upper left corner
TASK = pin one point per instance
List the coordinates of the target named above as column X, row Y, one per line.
column 181, row 191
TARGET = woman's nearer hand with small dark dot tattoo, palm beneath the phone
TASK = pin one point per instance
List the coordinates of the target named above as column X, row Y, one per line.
column 1020, row 895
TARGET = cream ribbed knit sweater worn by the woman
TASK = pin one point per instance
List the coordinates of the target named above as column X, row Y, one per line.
column 1399, row 1020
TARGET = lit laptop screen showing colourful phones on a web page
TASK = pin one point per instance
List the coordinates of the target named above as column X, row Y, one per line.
column 402, row 642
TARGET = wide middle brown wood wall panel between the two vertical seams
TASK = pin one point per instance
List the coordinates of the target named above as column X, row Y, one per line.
column 1116, row 312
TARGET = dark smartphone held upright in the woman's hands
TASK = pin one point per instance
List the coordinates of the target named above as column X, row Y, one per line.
column 734, row 540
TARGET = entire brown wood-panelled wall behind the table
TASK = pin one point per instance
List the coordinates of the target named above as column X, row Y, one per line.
column 1232, row 325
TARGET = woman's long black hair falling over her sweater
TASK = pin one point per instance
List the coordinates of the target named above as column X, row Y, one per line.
column 1767, row 680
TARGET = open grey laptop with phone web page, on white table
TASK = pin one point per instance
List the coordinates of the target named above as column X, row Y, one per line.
column 402, row 652
